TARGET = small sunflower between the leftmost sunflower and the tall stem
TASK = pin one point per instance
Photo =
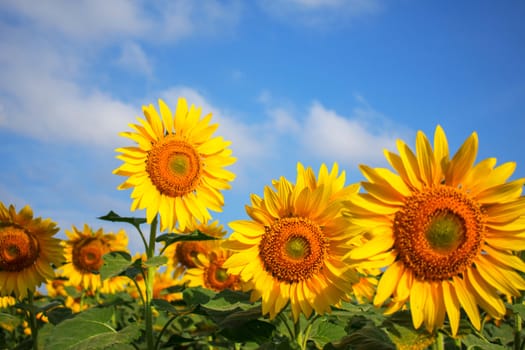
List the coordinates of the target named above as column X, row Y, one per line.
column 84, row 252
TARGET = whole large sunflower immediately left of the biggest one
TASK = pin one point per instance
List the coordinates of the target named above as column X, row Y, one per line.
column 293, row 248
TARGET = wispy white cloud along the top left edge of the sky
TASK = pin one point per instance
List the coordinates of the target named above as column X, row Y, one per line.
column 101, row 21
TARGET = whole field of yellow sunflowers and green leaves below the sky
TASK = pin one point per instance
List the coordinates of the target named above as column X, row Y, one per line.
column 424, row 255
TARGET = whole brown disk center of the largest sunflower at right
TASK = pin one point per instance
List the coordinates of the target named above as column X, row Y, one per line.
column 439, row 232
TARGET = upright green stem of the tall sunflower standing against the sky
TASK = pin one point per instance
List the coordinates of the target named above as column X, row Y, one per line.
column 150, row 276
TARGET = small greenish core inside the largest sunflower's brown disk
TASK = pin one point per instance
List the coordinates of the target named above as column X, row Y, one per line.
column 446, row 232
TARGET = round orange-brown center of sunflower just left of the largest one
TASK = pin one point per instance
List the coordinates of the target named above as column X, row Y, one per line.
column 293, row 249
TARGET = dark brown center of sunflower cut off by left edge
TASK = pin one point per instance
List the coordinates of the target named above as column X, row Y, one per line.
column 18, row 249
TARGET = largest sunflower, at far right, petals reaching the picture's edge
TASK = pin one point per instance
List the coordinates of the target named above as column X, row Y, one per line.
column 447, row 230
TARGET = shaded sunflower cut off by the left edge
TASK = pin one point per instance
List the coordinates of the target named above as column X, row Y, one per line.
column 28, row 251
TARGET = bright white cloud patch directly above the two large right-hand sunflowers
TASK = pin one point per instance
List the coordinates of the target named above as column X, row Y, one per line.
column 327, row 134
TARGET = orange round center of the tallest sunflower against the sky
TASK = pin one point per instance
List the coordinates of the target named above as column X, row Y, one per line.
column 174, row 167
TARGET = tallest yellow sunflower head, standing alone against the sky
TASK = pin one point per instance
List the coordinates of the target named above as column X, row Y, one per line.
column 177, row 169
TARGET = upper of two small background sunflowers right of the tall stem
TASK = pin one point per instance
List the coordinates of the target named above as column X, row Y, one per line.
column 182, row 255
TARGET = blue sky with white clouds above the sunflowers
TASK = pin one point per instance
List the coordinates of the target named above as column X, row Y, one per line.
column 288, row 80
